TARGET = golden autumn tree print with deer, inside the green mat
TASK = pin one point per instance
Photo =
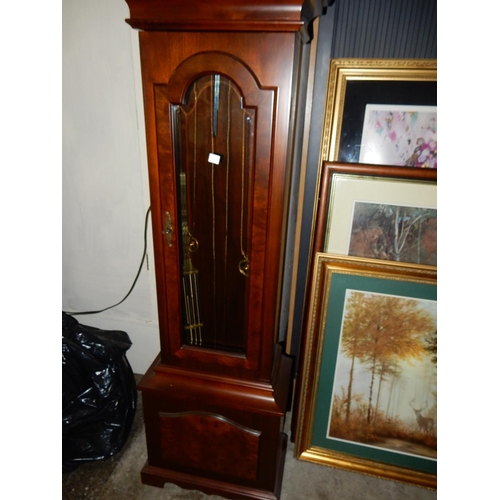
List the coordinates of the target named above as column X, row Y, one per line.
column 385, row 386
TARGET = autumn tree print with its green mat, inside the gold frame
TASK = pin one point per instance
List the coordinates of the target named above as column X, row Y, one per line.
column 378, row 390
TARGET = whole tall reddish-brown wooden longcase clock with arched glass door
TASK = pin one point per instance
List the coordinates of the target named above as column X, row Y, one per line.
column 219, row 96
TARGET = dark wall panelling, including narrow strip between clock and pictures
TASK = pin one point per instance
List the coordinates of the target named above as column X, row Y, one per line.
column 353, row 29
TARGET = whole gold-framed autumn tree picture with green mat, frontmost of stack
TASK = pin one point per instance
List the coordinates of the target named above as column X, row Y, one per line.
column 368, row 391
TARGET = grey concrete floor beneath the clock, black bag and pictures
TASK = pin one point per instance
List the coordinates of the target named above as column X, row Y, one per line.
column 118, row 478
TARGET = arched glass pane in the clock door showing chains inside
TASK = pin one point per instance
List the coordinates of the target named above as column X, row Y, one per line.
column 214, row 155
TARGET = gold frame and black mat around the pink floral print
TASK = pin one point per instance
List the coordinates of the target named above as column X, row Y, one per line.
column 353, row 83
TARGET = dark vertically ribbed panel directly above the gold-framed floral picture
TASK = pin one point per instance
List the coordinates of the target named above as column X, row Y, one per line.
column 384, row 29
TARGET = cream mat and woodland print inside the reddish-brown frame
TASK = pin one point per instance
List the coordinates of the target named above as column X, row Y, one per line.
column 387, row 219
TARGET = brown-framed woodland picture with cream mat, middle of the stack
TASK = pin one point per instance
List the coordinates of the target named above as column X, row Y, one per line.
column 379, row 212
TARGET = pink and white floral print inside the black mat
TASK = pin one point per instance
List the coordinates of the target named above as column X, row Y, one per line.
column 399, row 135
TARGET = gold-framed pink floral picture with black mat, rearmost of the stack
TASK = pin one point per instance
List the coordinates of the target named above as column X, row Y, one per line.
column 357, row 88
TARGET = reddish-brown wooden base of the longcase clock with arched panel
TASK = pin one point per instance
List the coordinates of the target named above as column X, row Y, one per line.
column 219, row 435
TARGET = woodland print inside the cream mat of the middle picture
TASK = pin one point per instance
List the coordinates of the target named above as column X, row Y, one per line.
column 393, row 232
